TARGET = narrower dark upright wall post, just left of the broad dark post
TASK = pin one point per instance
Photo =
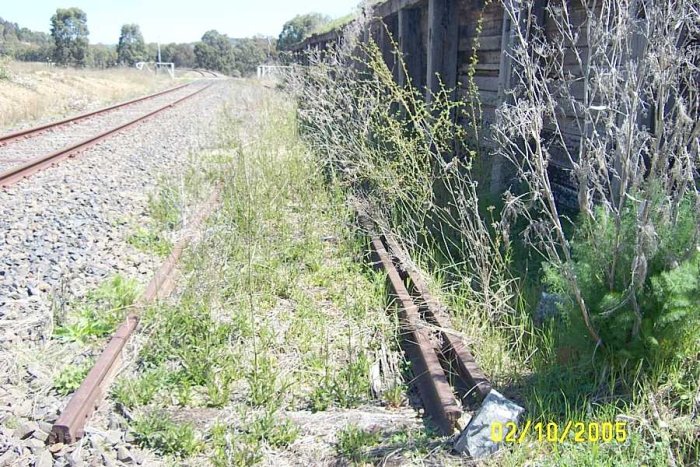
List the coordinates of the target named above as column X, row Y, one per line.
column 411, row 45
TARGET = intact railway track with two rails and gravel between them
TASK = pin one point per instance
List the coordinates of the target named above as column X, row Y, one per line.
column 26, row 152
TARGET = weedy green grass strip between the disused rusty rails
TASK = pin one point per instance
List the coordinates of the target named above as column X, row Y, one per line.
column 278, row 329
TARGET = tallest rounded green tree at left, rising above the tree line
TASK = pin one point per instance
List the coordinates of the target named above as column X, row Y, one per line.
column 70, row 35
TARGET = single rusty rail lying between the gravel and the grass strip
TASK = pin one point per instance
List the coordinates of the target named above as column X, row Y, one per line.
column 70, row 425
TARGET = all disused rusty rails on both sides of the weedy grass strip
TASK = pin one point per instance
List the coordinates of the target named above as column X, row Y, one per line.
column 445, row 373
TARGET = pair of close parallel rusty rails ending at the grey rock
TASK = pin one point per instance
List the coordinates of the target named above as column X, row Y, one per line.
column 445, row 373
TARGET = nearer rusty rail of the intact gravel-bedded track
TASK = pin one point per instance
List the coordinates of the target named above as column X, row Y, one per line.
column 17, row 173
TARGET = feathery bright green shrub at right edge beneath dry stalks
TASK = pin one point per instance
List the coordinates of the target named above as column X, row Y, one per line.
column 644, row 307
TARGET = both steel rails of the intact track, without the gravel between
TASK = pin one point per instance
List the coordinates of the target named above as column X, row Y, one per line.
column 26, row 169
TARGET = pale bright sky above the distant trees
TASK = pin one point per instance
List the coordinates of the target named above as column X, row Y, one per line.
column 174, row 20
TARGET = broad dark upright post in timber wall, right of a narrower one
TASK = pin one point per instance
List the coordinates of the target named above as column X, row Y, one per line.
column 443, row 41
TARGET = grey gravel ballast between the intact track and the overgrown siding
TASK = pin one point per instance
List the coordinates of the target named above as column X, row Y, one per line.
column 63, row 233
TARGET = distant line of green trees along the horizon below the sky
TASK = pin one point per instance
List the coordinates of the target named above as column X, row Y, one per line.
column 68, row 45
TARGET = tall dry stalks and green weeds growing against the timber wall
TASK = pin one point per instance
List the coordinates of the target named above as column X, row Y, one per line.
column 398, row 157
